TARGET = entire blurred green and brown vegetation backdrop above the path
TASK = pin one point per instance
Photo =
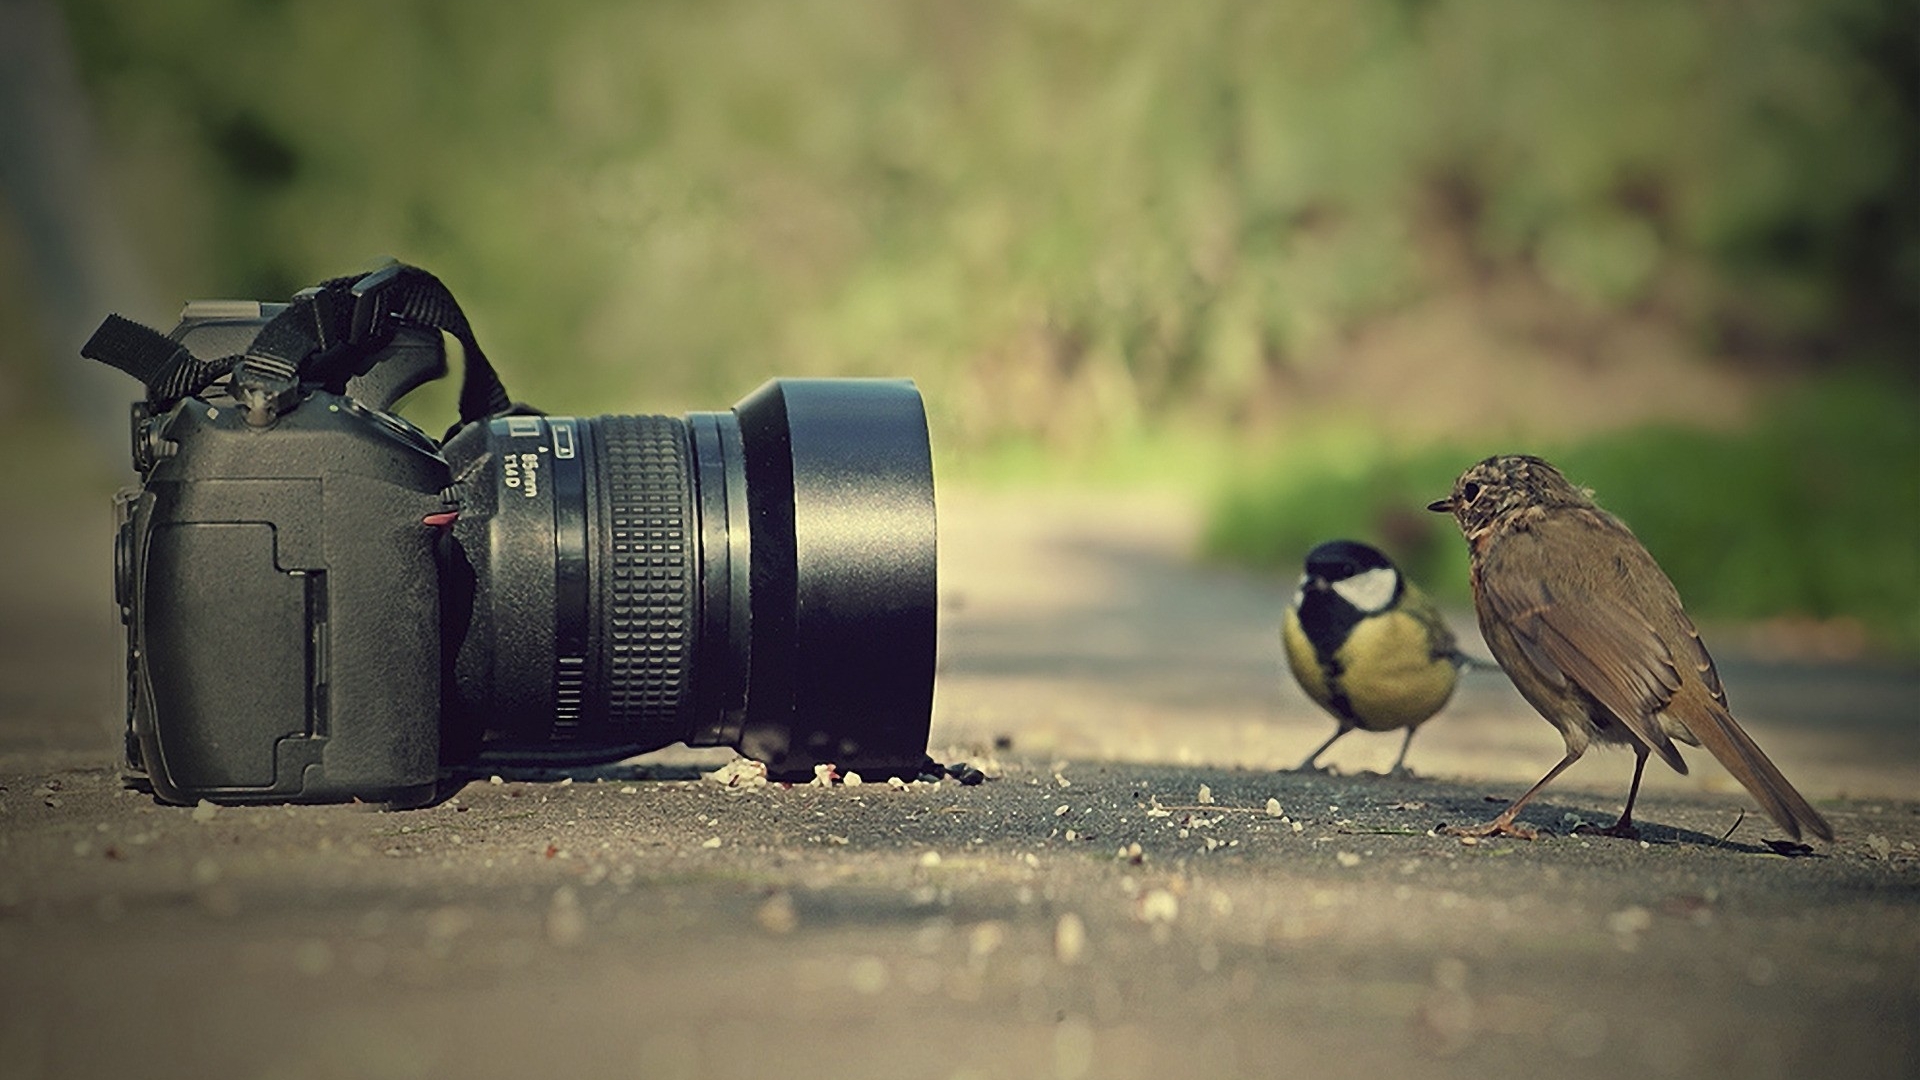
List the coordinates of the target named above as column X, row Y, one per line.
column 1316, row 257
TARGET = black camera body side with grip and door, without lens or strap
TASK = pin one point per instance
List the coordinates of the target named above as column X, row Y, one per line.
column 285, row 610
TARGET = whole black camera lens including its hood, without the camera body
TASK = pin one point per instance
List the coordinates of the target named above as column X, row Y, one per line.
column 761, row 579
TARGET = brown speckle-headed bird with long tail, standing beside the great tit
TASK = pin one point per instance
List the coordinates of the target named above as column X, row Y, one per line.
column 1595, row 637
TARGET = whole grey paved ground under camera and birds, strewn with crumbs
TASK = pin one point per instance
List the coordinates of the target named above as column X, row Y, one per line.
column 1134, row 893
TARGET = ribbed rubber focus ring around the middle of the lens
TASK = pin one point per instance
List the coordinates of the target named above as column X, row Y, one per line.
column 646, row 570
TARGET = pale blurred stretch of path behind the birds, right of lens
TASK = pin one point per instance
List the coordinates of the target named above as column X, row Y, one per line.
column 1078, row 626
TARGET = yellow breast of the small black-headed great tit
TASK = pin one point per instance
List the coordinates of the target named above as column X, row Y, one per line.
column 1391, row 674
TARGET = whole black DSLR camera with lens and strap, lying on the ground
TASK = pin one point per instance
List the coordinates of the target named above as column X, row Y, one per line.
column 325, row 604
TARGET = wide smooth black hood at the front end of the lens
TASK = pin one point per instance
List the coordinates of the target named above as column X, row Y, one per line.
column 840, row 485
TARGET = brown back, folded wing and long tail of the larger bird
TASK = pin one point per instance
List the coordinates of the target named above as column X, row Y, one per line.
column 1602, row 631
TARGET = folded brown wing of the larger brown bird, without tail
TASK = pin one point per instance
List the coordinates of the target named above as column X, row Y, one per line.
column 1575, row 633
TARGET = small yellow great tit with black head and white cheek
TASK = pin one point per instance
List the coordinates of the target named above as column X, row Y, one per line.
column 1368, row 645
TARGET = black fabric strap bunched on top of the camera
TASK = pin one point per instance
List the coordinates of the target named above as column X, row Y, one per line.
column 327, row 335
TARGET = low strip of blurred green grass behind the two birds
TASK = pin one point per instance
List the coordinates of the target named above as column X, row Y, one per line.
column 1813, row 512
